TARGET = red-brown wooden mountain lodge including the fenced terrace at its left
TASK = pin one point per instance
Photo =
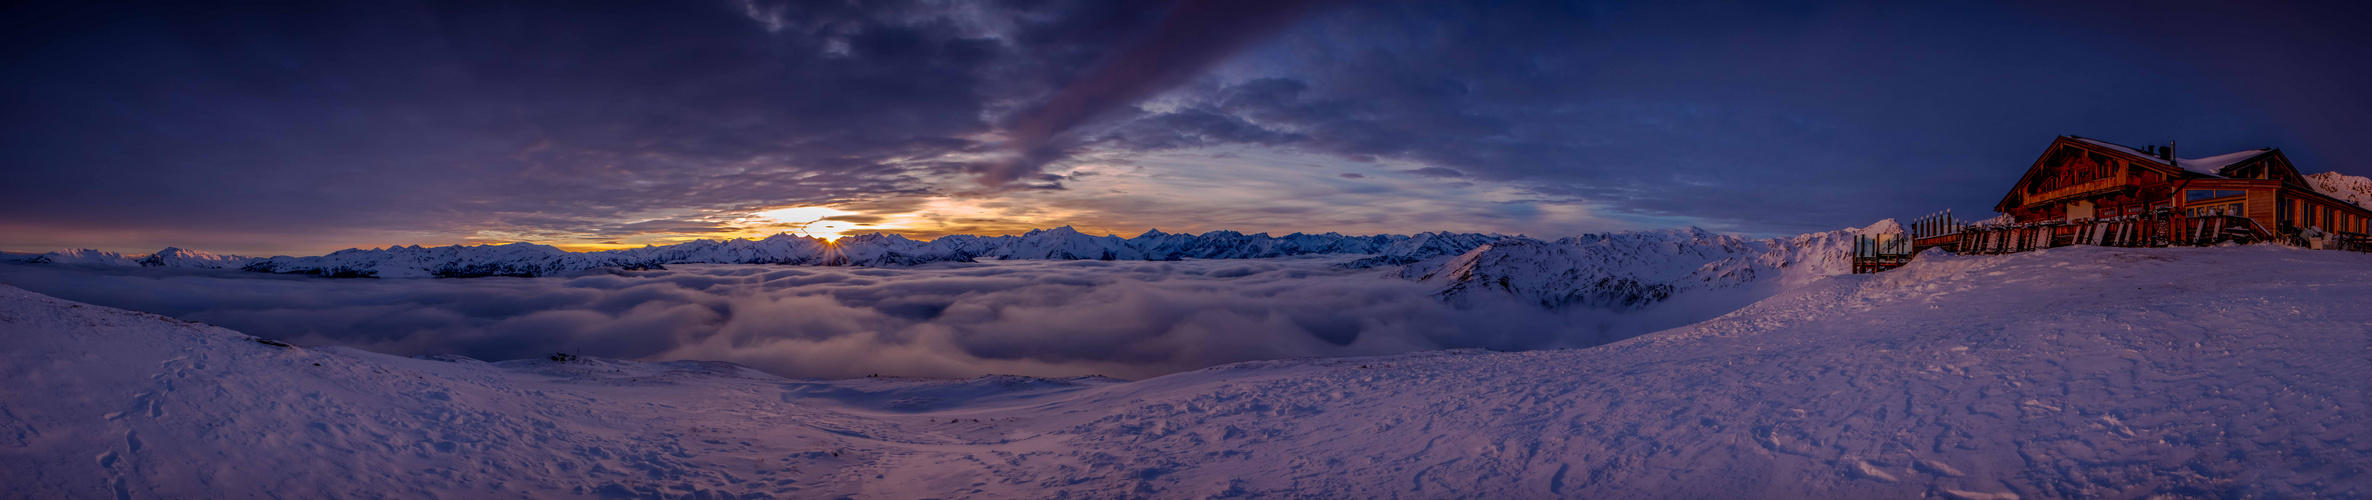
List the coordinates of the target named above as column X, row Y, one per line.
column 2098, row 193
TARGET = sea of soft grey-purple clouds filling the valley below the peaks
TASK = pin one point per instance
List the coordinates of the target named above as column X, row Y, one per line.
column 1045, row 319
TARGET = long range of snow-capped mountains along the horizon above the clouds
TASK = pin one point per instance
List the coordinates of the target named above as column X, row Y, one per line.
column 1612, row 271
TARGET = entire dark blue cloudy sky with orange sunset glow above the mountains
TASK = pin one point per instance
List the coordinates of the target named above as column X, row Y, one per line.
column 307, row 129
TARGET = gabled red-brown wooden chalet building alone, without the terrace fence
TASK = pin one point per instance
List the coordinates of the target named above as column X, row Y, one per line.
column 2081, row 179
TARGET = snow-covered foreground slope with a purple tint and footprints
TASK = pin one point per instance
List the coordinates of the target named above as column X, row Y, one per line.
column 2067, row 373
